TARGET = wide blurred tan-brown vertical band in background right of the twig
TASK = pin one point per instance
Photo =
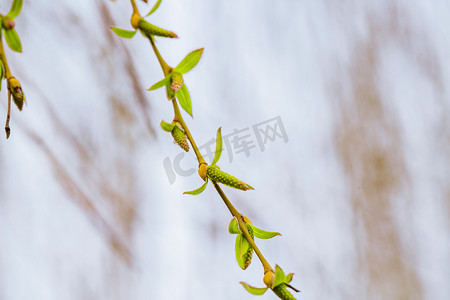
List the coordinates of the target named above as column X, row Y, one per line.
column 371, row 151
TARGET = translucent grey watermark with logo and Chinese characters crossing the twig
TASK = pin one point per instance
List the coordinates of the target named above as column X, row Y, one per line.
column 238, row 142
